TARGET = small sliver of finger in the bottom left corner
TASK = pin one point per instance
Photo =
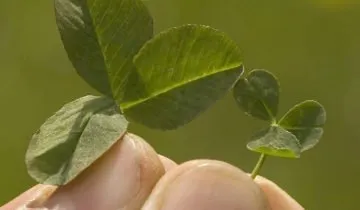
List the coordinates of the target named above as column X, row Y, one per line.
column 38, row 193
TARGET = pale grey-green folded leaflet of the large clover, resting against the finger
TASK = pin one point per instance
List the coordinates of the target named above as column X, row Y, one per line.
column 73, row 138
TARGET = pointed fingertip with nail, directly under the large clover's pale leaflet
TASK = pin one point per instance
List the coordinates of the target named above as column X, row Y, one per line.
column 121, row 179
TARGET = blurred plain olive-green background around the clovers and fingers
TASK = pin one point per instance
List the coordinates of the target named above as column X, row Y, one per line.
column 312, row 46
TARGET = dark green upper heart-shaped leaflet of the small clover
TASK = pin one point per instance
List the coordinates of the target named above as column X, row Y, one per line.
column 258, row 94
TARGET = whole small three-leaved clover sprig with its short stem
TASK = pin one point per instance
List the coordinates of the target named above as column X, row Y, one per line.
column 298, row 130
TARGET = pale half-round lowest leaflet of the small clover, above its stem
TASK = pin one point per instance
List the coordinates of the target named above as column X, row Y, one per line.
column 275, row 141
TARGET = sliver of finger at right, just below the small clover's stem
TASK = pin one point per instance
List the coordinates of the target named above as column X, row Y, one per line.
column 277, row 198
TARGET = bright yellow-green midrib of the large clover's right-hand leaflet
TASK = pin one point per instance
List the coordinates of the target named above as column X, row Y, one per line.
column 129, row 105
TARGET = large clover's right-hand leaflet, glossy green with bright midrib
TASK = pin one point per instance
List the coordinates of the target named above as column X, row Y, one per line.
column 183, row 70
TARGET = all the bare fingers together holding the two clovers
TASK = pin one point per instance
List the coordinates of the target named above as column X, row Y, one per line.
column 131, row 176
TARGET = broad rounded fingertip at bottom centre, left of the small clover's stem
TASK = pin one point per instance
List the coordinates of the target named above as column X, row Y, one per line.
column 206, row 185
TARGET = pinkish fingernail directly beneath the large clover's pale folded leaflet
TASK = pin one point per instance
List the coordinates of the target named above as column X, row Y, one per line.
column 110, row 183
